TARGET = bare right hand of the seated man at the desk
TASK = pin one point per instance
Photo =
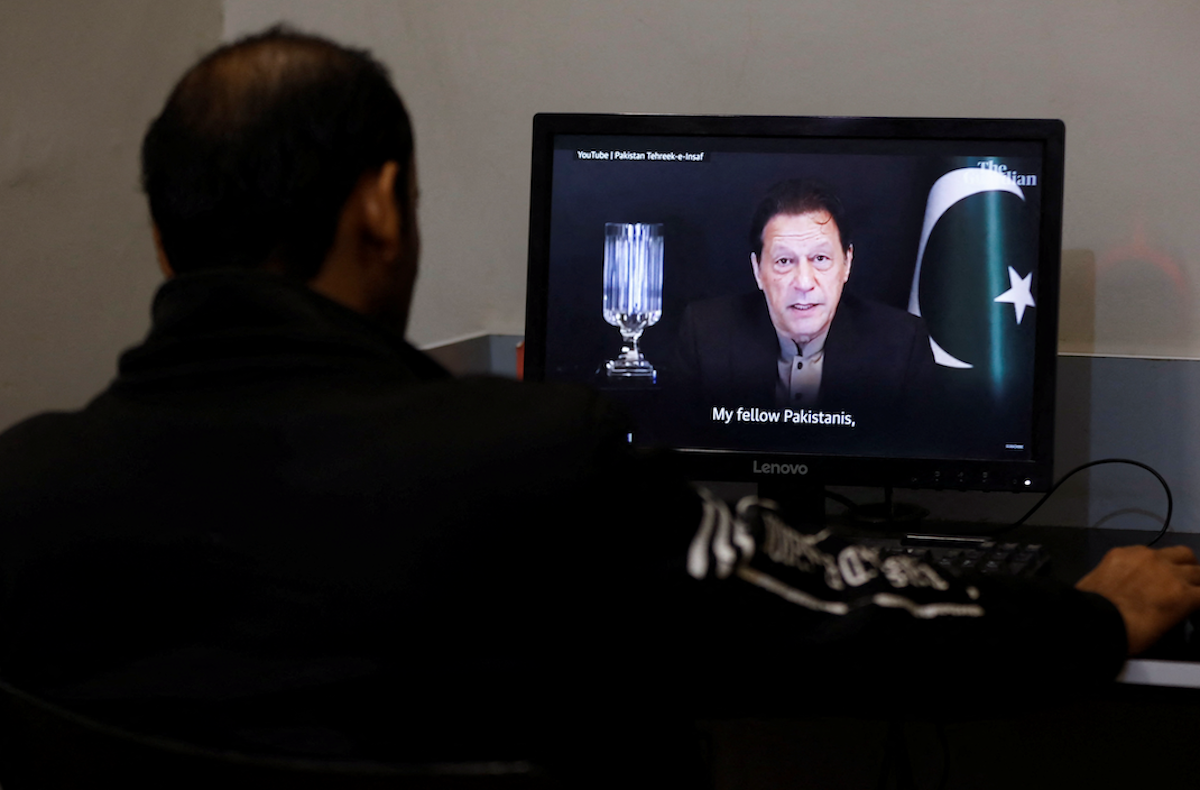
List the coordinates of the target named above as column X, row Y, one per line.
column 1154, row 590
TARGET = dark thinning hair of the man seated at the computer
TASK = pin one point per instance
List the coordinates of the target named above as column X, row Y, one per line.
column 261, row 145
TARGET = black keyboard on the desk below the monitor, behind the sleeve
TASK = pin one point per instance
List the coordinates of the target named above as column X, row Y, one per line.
column 969, row 558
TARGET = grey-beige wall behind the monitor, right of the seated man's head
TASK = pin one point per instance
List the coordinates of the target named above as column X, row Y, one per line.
column 1121, row 74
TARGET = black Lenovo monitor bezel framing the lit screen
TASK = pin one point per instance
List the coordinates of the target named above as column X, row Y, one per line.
column 1016, row 475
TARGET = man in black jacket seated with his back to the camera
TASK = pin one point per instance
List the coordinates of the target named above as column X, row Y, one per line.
column 284, row 530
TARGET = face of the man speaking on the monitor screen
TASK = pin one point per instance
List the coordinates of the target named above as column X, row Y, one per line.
column 802, row 273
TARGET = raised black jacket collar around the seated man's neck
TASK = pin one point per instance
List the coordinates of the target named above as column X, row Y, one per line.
column 230, row 320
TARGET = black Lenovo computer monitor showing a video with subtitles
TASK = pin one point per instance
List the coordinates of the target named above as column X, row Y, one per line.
column 806, row 302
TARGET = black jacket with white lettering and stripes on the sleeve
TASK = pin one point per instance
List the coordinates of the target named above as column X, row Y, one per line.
column 283, row 528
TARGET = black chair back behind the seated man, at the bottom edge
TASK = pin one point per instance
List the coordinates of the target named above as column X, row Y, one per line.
column 46, row 747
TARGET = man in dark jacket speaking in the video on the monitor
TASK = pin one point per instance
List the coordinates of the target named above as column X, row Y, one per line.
column 805, row 342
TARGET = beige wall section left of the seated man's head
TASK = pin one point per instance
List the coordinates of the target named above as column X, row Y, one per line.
column 79, row 83
